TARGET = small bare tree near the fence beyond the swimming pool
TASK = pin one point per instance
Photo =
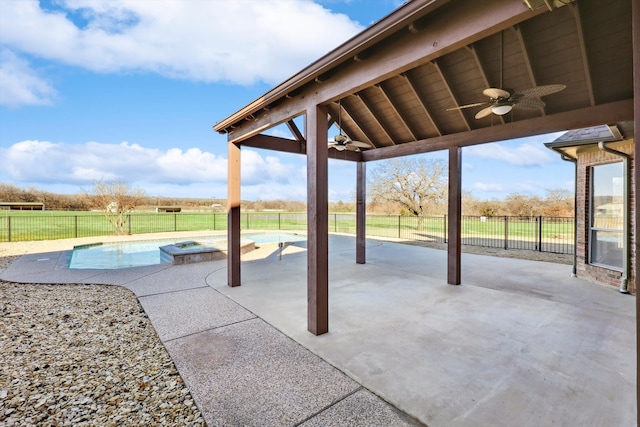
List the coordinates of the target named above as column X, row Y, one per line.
column 116, row 200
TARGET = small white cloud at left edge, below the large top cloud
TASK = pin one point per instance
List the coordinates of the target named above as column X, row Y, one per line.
column 20, row 84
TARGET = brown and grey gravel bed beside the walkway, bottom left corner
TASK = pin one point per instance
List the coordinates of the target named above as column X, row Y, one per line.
column 85, row 355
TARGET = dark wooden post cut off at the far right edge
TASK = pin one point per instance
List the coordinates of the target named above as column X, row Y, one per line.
column 635, row 29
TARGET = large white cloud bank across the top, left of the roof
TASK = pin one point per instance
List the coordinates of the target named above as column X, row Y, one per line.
column 233, row 41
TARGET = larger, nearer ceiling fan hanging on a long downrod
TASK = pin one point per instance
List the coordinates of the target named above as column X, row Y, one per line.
column 501, row 101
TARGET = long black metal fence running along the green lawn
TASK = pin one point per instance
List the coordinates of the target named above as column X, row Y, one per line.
column 545, row 234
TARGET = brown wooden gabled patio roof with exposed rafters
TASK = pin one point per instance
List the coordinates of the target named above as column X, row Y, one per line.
column 397, row 79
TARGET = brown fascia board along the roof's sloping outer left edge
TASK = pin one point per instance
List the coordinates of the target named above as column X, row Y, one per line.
column 399, row 18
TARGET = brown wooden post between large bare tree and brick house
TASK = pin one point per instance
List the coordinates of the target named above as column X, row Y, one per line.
column 455, row 216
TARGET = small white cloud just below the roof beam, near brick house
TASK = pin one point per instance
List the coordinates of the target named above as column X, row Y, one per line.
column 524, row 154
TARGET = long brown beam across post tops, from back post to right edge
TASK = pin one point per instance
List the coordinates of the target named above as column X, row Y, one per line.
column 575, row 119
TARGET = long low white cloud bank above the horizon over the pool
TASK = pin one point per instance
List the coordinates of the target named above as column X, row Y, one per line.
column 82, row 164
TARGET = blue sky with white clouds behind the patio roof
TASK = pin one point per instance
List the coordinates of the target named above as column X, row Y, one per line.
column 129, row 90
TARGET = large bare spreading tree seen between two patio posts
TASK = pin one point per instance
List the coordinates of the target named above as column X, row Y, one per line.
column 418, row 185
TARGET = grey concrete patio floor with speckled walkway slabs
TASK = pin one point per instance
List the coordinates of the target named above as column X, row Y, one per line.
column 518, row 343
